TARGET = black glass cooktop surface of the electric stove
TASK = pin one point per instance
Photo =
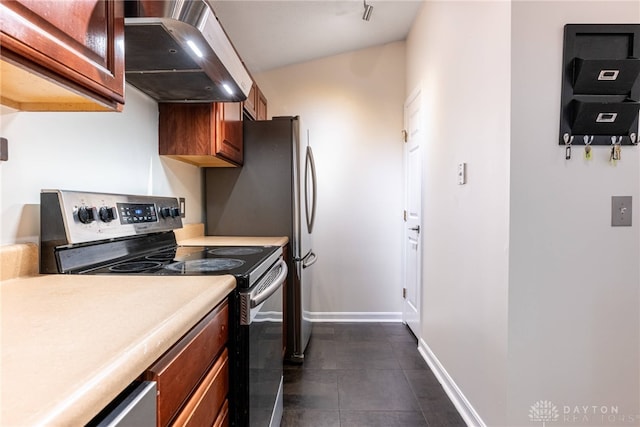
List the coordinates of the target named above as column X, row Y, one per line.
column 239, row 261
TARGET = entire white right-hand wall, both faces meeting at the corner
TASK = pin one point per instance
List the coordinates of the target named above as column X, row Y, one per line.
column 529, row 293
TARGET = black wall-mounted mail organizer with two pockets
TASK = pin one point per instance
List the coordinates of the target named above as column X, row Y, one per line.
column 600, row 101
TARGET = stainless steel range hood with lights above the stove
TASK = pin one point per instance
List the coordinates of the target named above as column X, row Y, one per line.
column 177, row 51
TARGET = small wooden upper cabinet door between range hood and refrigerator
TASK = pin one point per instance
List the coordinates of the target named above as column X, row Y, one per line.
column 229, row 143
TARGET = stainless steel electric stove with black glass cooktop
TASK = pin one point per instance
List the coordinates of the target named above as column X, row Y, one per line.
column 115, row 234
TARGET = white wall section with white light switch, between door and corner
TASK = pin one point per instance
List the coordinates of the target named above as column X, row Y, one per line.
column 458, row 52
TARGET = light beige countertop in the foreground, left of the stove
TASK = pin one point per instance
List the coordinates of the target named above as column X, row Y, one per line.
column 70, row 344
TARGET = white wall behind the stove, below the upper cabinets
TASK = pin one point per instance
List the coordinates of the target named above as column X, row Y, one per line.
column 103, row 152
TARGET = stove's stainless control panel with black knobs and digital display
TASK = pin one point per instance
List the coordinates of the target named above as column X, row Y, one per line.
column 88, row 217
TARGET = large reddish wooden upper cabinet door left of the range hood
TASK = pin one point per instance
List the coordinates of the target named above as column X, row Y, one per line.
column 79, row 44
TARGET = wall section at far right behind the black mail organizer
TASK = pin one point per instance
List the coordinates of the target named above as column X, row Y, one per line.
column 574, row 281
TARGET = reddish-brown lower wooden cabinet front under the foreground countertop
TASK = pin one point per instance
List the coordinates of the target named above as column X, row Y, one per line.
column 193, row 376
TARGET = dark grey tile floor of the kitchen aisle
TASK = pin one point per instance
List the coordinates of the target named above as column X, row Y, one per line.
column 364, row 375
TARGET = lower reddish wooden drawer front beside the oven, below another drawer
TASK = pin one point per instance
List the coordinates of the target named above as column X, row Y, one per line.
column 202, row 409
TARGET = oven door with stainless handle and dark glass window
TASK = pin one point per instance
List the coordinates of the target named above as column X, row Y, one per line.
column 263, row 327
